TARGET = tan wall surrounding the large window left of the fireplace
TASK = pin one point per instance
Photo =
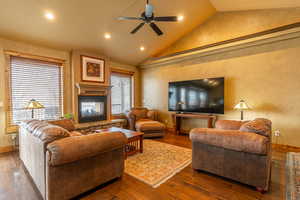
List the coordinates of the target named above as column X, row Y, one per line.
column 5, row 139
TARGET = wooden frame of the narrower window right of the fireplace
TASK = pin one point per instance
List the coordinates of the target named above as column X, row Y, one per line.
column 127, row 73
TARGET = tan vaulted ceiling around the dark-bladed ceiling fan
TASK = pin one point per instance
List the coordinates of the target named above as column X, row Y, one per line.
column 81, row 24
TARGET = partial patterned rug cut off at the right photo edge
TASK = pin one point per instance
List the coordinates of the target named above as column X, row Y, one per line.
column 293, row 176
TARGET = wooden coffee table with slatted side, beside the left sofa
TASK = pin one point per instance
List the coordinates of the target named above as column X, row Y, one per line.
column 135, row 139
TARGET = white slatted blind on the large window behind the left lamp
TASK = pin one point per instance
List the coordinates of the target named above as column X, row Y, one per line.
column 34, row 79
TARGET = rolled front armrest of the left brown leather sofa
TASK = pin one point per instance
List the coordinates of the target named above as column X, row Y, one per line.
column 71, row 149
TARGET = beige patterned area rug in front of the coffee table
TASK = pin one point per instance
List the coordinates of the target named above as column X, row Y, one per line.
column 158, row 162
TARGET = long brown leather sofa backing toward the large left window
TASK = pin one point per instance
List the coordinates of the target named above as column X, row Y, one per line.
column 63, row 163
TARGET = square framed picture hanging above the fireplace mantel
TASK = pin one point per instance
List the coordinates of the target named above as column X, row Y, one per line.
column 92, row 69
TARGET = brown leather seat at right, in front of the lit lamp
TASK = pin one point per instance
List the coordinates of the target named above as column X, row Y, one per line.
column 236, row 150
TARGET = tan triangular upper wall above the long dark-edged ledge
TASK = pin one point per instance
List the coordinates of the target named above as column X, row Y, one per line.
column 227, row 25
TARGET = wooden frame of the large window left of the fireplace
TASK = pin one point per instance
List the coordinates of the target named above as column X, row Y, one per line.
column 7, row 101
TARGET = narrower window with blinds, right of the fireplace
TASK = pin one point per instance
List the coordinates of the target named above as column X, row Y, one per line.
column 121, row 93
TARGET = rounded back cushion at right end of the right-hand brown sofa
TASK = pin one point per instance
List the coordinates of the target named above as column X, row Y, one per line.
column 260, row 126
